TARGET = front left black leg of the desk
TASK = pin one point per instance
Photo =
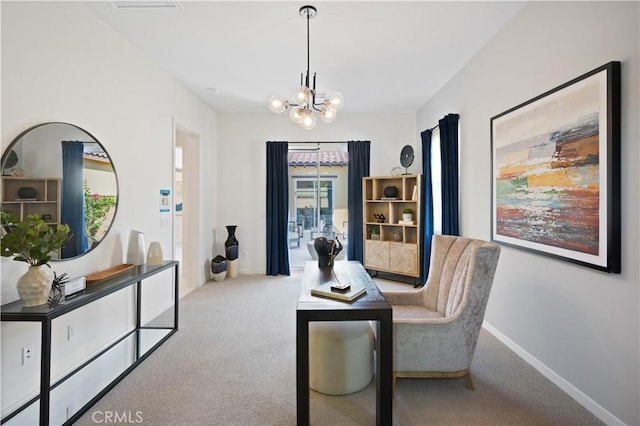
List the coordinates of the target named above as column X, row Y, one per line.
column 302, row 369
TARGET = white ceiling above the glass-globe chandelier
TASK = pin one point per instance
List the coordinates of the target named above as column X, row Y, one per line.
column 383, row 56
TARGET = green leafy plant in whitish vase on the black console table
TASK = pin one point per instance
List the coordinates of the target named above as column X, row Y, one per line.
column 32, row 241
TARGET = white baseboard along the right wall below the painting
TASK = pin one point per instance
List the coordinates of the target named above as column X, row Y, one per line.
column 588, row 403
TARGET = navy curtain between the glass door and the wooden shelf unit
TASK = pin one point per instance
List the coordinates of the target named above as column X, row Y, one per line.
column 359, row 153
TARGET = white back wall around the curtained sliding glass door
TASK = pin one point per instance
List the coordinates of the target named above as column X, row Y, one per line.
column 242, row 166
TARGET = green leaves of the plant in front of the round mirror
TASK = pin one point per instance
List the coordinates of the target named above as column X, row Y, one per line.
column 31, row 240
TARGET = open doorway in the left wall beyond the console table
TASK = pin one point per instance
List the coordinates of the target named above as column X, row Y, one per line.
column 186, row 201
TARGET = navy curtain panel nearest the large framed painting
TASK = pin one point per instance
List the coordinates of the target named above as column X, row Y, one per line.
column 449, row 152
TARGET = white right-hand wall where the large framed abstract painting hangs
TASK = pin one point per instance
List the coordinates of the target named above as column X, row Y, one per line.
column 578, row 325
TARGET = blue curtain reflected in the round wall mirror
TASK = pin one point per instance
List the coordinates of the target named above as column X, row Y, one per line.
column 72, row 210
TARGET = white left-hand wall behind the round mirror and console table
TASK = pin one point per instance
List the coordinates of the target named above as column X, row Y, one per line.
column 61, row 63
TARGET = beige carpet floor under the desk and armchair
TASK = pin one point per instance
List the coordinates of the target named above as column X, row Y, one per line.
column 233, row 363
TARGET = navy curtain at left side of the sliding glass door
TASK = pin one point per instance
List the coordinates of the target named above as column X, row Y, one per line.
column 277, row 208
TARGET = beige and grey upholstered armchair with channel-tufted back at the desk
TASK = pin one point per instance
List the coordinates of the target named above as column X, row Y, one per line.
column 436, row 328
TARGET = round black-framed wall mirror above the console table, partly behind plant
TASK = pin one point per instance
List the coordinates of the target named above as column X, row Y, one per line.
column 62, row 173
